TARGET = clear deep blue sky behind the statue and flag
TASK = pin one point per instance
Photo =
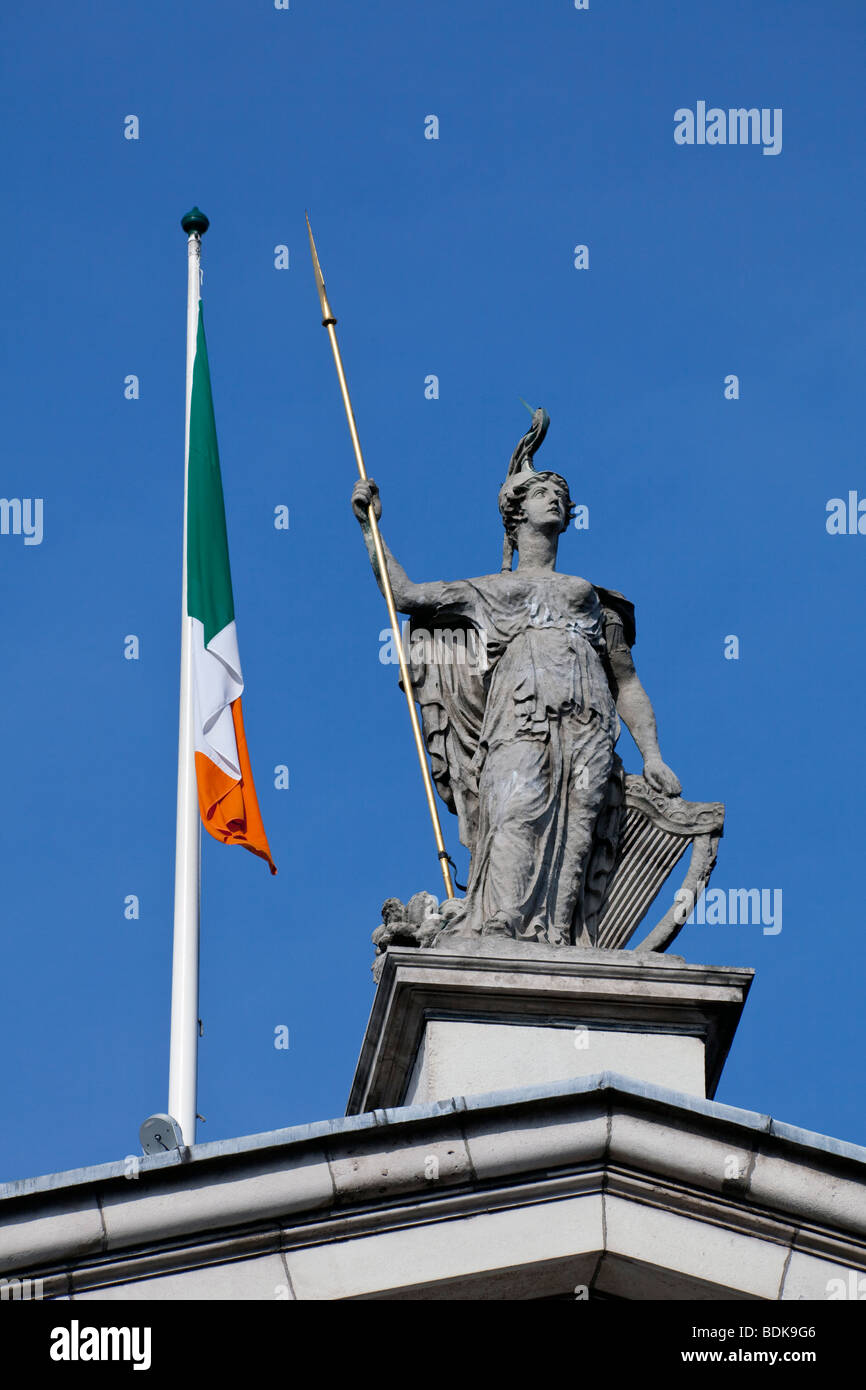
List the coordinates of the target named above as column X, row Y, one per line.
column 451, row 258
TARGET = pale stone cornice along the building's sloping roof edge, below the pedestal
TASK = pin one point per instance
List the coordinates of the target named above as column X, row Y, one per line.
column 359, row 1179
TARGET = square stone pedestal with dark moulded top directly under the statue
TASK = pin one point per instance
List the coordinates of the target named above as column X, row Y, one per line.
column 496, row 1015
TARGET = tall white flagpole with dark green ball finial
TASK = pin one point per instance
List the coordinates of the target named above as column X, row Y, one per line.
column 184, row 1050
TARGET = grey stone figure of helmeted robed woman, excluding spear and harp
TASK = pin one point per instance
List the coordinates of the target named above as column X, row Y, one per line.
column 523, row 753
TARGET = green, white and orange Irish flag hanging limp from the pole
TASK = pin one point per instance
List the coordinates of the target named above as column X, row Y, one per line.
column 227, row 796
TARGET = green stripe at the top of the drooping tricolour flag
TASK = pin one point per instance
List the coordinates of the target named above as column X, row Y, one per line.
column 209, row 578
